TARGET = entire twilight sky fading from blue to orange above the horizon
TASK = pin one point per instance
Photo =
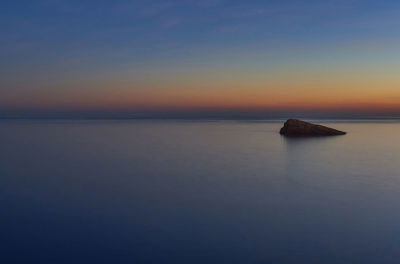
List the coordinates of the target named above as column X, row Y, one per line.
column 210, row 57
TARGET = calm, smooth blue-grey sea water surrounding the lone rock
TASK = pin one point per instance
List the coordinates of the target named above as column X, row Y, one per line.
column 197, row 192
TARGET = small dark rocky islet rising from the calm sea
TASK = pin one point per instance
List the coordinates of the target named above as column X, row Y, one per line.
column 298, row 128
